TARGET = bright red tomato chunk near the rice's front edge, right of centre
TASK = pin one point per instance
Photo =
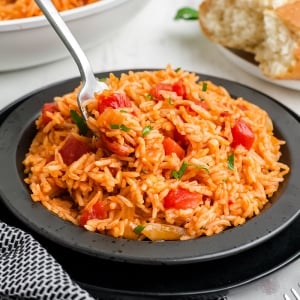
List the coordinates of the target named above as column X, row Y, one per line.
column 182, row 199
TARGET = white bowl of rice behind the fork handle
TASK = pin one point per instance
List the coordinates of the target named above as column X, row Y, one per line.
column 32, row 41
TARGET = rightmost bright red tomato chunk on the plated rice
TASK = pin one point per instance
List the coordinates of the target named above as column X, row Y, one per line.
column 242, row 134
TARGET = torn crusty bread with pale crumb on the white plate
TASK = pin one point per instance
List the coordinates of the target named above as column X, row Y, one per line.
column 270, row 29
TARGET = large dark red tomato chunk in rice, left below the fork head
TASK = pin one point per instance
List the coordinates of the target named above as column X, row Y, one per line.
column 73, row 149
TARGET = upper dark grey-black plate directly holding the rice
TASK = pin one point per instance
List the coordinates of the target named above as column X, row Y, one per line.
column 18, row 129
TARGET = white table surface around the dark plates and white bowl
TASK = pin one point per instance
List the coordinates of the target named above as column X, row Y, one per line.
column 154, row 39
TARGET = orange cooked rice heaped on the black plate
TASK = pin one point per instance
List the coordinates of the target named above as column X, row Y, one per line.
column 132, row 187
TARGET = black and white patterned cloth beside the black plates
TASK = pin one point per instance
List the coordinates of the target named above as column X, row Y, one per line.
column 28, row 271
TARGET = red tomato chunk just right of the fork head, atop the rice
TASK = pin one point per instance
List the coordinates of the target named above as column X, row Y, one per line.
column 113, row 100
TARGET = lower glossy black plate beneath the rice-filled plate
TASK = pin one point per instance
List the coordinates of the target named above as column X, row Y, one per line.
column 207, row 280
